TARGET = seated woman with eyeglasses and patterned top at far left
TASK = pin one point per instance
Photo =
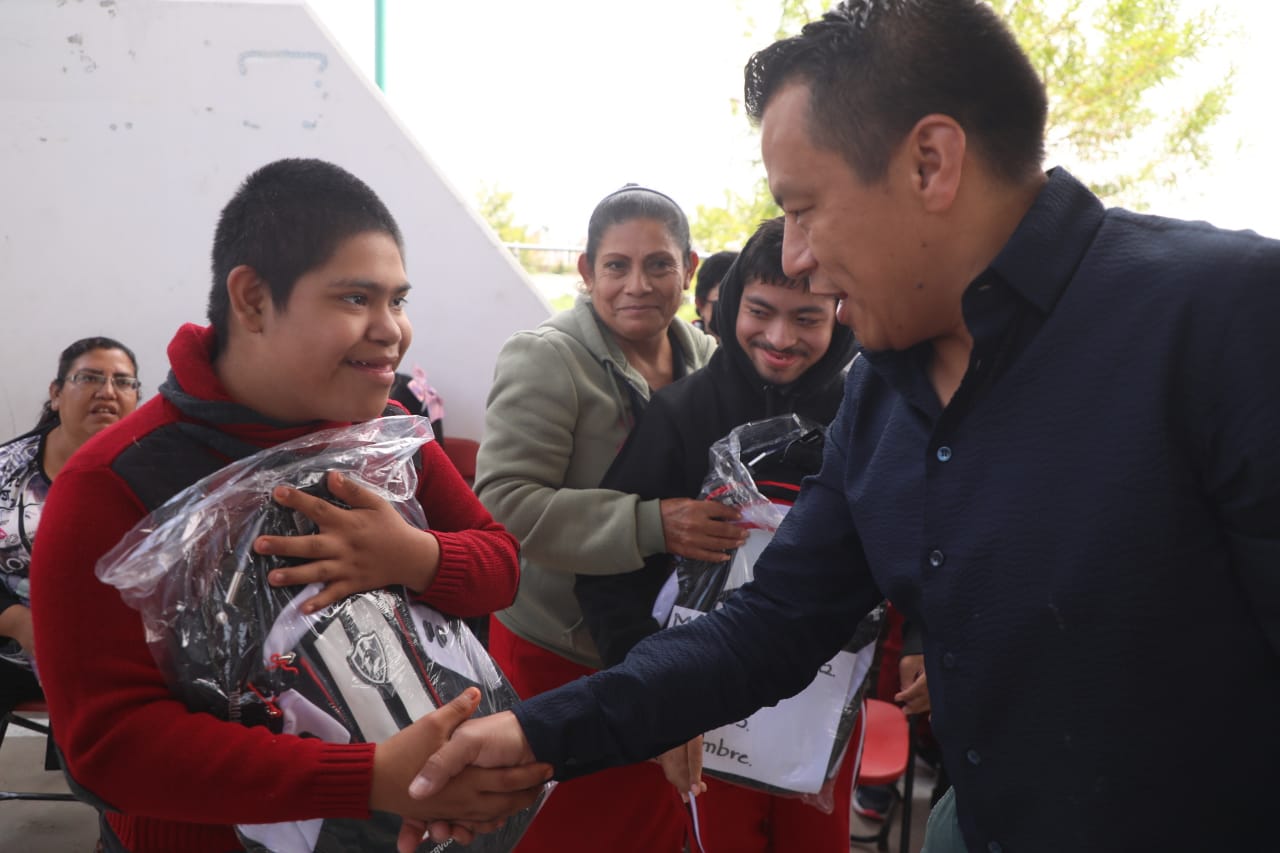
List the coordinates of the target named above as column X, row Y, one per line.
column 97, row 386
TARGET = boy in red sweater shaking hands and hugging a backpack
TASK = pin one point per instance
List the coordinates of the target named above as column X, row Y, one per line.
column 308, row 329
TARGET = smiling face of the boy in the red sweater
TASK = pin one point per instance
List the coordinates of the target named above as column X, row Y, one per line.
column 332, row 352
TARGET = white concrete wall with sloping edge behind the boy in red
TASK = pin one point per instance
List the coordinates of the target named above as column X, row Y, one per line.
column 130, row 124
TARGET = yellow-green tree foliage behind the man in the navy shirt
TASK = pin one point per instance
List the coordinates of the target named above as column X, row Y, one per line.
column 1109, row 67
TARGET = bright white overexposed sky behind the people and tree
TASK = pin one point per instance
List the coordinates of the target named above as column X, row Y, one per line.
column 560, row 102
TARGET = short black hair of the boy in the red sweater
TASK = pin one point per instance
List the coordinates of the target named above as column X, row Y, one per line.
column 287, row 220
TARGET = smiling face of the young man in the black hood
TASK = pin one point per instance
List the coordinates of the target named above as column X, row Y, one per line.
column 784, row 331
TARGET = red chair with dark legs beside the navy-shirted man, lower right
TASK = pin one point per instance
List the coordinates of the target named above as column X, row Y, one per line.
column 885, row 756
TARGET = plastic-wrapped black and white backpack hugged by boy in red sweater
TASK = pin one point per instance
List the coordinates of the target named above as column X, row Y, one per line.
column 241, row 650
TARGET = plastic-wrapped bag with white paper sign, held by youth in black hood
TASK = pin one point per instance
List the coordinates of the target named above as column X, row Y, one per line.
column 796, row 747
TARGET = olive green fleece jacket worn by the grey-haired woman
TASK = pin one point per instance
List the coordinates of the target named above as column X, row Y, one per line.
column 559, row 413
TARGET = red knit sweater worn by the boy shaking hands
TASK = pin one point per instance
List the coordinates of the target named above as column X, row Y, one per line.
column 181, row 779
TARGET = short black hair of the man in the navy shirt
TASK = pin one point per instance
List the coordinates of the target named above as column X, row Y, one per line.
column 877, row 67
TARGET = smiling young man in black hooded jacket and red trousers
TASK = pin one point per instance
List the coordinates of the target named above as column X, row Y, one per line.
column 781, row 352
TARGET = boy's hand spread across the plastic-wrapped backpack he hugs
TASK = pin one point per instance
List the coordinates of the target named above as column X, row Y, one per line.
column 365, row 548
